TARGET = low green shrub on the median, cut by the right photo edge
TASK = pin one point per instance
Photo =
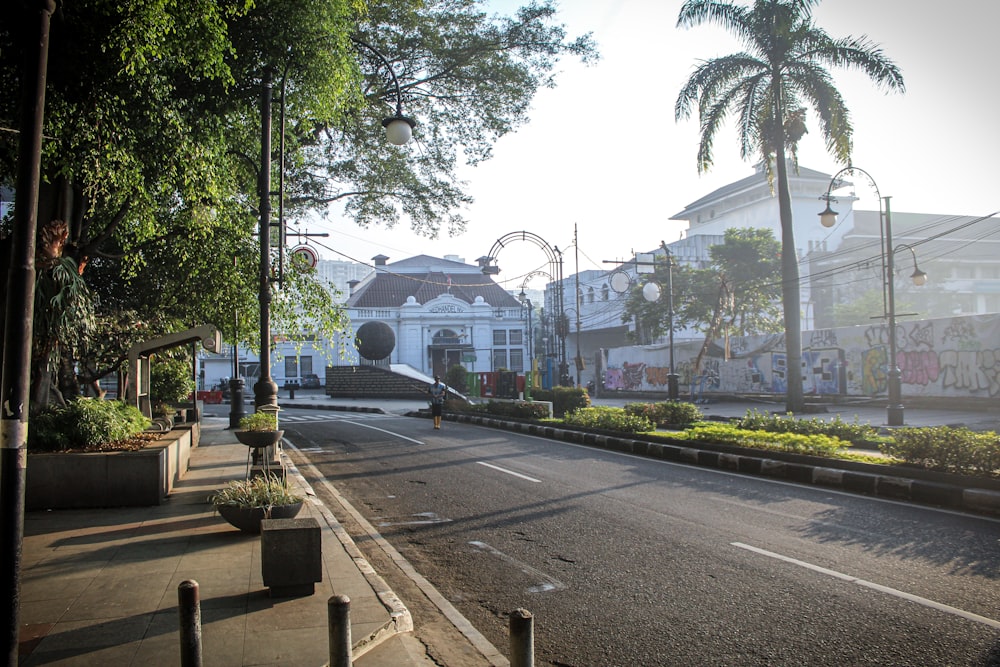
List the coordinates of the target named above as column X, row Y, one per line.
column 956, row 450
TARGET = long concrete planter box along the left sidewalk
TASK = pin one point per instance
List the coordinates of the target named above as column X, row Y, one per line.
column 110, row 479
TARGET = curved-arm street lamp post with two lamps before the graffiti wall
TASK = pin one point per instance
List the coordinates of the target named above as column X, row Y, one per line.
column 828, row 218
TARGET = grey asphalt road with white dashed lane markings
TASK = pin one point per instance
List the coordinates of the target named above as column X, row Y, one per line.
column 629, row 561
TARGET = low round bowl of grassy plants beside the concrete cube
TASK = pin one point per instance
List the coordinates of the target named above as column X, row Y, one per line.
column 247, row 502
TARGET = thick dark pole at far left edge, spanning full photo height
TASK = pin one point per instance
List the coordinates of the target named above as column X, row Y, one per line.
column 16, row 374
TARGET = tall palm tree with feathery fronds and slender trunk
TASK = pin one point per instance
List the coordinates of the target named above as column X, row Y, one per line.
column 768, row 87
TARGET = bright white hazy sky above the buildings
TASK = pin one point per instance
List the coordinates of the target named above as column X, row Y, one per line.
column 603, row 151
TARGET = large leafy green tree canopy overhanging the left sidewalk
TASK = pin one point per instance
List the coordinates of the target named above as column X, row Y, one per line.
column 153, row 140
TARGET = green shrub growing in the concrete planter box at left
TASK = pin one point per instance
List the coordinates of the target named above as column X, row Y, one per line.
column 85, row 423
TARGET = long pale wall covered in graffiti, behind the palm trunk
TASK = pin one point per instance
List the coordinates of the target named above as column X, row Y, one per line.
column 957, row 357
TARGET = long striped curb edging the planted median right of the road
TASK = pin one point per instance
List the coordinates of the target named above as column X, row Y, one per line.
column 879, row 484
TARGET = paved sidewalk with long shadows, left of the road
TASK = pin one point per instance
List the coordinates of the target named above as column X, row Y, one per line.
column 99, row 587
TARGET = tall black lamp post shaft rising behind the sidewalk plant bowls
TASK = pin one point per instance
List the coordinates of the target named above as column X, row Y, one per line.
column 265, row 391
